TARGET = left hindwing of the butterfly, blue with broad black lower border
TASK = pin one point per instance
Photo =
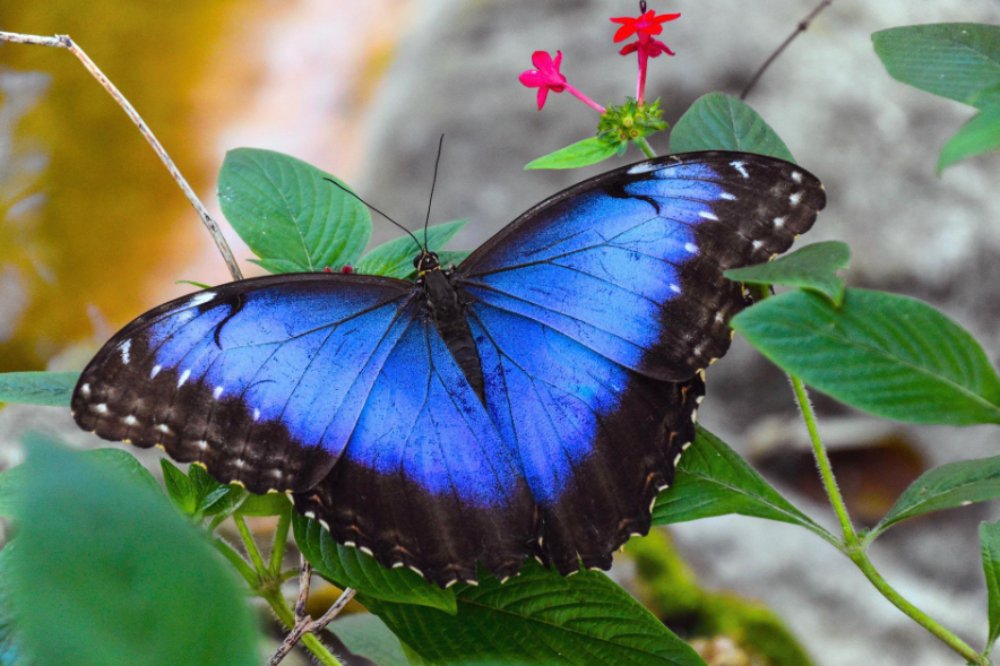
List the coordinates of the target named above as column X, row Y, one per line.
column 427, row 481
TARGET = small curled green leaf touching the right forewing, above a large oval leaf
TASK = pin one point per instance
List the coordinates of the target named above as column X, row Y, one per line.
column 811, row 267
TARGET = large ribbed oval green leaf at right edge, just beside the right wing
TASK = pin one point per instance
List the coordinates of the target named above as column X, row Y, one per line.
column 889, row 355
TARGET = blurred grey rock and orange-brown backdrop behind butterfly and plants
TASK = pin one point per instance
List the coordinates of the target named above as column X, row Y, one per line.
column 93, row 231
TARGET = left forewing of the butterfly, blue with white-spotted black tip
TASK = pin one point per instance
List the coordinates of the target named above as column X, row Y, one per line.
column 260, row 380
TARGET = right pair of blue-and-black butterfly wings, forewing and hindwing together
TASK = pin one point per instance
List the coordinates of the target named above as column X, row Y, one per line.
column 594, row 312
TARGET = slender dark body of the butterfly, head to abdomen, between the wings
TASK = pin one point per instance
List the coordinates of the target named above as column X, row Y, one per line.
column 447, row 310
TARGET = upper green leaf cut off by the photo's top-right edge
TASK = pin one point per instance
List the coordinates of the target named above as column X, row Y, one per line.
column 960, row 61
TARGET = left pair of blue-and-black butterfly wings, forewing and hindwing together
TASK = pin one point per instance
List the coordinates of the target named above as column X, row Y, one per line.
column 286, row 381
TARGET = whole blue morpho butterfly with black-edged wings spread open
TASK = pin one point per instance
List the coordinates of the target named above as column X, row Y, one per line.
column 531, row 401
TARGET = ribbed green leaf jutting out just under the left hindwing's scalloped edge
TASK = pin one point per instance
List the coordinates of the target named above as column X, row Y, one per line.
column 349, row 567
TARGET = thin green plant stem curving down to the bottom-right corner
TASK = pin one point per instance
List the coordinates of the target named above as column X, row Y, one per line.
column 854, row 548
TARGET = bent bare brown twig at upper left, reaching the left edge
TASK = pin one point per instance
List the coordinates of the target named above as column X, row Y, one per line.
column 65, row 42
